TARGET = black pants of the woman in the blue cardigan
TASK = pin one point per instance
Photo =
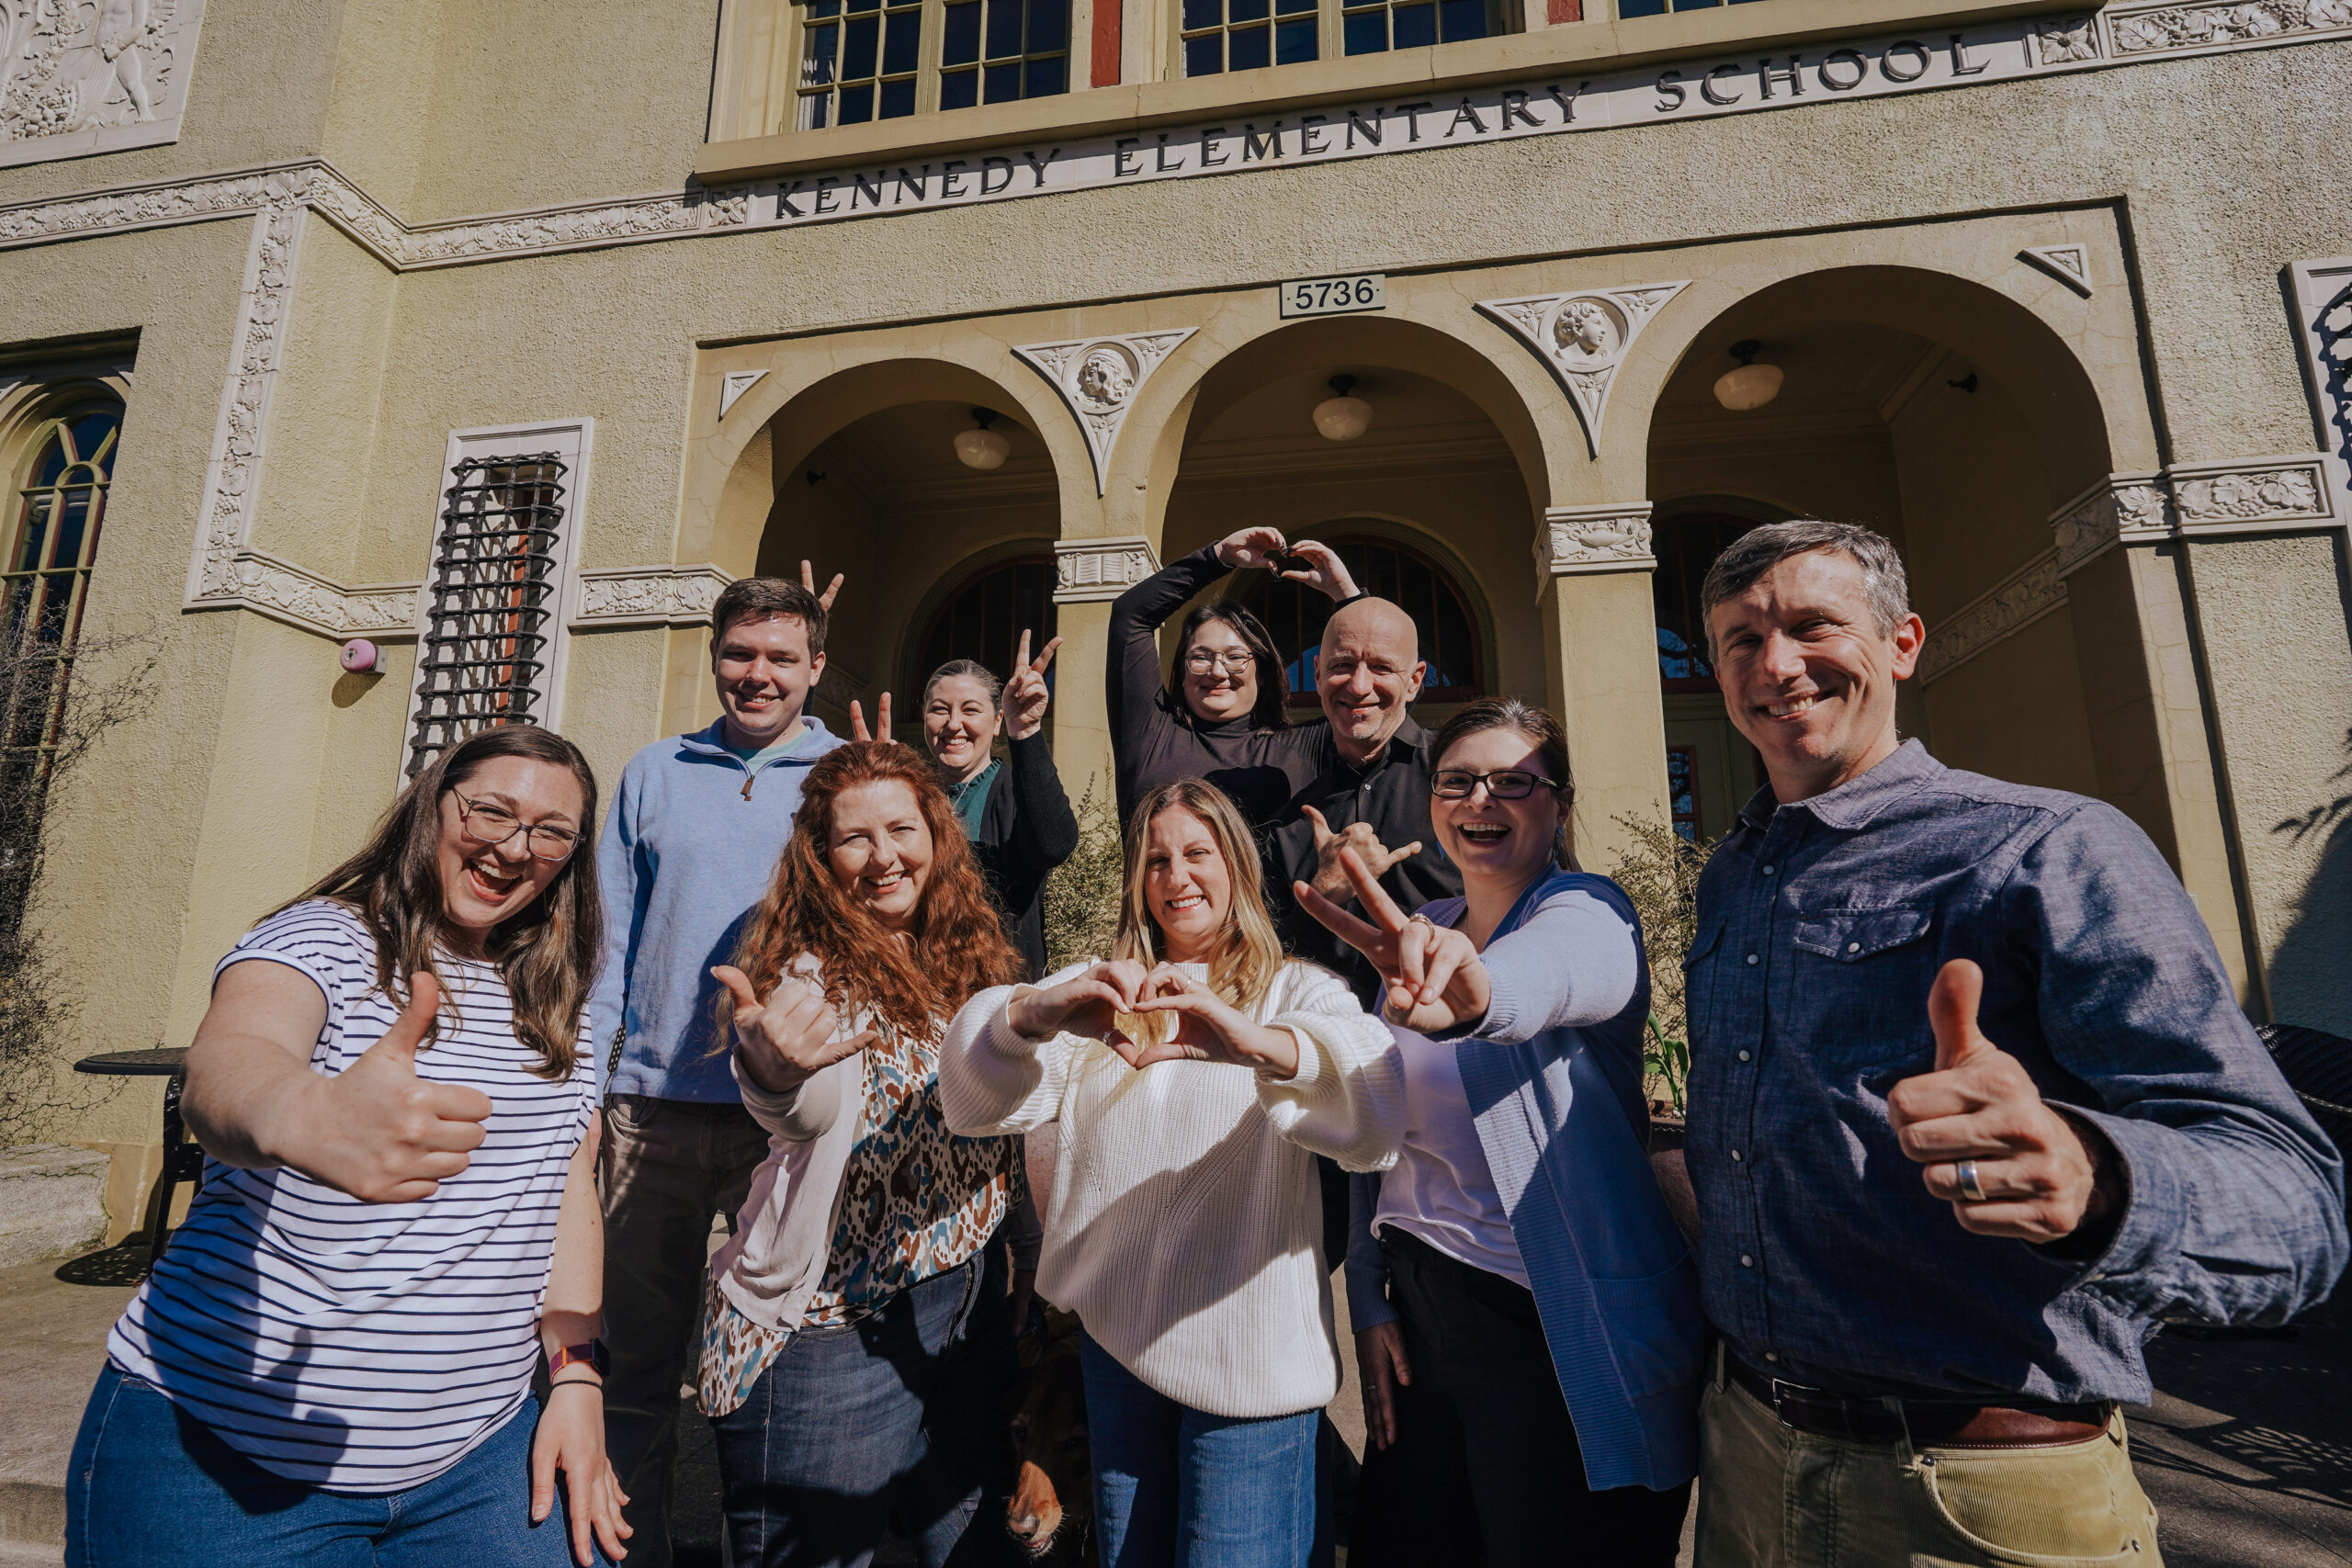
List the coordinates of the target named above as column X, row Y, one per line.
column 1485, row 1466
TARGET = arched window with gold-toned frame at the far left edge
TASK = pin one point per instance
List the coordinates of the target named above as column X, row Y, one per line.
column 60, row 507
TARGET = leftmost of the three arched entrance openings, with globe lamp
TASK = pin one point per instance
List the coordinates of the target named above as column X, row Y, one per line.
column 942, row 561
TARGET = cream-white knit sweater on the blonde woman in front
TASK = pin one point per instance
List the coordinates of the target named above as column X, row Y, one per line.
column 1187, row 1219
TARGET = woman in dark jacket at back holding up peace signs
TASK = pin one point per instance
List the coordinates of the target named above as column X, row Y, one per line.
column 1015, row 810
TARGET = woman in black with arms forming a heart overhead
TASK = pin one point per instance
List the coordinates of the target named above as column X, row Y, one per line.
column 1224, row 709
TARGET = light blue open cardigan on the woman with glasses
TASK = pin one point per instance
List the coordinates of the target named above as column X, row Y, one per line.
column 1556, row 1090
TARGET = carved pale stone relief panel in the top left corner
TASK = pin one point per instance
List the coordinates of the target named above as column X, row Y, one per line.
column 93, row 76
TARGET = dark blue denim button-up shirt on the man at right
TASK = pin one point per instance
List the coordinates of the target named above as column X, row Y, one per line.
column 1824, row 1259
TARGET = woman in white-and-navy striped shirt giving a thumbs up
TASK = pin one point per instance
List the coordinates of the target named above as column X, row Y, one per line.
column 335, row 1360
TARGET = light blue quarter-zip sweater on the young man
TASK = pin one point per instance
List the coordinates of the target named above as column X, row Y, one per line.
column 688, row 852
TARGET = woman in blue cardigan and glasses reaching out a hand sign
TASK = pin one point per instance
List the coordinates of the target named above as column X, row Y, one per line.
column 1535, row 1360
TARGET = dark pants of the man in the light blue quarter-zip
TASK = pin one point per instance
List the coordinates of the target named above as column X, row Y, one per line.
column 669, row 1167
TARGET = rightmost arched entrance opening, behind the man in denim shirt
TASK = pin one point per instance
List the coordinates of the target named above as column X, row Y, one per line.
column 1935, row 413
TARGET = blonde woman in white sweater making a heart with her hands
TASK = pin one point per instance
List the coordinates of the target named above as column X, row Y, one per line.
column 1194, row 1076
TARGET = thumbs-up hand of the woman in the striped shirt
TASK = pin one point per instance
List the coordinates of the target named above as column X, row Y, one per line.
column 392, row 1137
